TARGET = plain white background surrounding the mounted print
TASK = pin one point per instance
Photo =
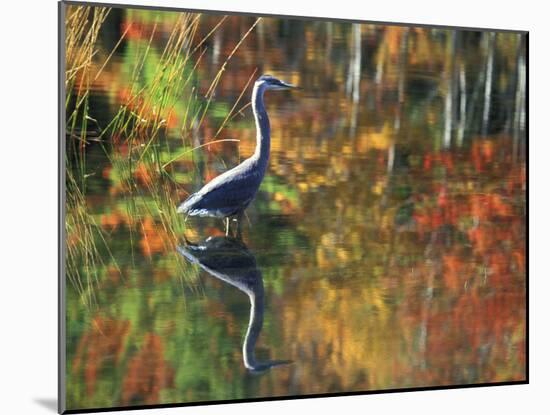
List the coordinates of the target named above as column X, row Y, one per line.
column 28, row 155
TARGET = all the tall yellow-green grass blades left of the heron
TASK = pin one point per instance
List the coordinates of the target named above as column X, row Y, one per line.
column 161, row 83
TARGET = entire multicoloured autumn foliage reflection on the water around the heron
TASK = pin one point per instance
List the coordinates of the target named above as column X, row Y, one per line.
column 399, row 274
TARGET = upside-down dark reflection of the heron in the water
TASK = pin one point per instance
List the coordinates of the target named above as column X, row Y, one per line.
column 229, row 260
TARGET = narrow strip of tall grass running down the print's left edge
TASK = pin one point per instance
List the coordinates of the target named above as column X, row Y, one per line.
column 82, row 27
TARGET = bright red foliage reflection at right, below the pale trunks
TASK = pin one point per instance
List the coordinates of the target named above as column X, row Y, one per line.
column 487, row 280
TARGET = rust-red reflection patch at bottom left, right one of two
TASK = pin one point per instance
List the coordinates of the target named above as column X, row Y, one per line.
column 147, row 374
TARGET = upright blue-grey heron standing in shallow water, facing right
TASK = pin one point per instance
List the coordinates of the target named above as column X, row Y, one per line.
column 230, row 193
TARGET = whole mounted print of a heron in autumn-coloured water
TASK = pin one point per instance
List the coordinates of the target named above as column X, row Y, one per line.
column 272, row 207
